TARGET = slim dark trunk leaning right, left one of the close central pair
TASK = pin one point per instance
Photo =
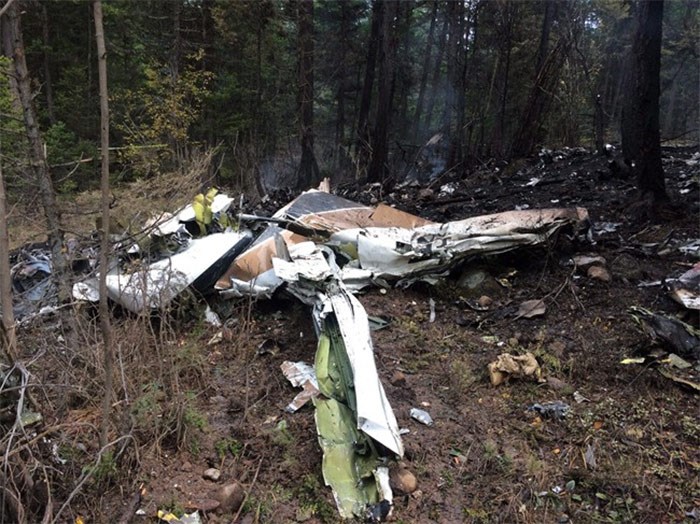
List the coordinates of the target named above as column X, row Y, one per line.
column 363, row 134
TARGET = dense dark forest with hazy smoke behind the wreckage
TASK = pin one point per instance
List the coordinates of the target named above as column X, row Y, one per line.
column 289, row 91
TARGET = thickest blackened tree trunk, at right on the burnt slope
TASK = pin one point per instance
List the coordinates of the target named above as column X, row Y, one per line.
column 641, row 143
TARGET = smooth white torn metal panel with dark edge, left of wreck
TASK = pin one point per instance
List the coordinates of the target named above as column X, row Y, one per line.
column 158, row 283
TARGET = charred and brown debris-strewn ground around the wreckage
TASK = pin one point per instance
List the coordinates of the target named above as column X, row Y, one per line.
column 629, row 452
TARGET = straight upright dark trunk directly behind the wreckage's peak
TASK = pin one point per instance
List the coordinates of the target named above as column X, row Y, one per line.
column 308, row 173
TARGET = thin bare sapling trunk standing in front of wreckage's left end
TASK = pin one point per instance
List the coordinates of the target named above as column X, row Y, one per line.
column 105, row 326
